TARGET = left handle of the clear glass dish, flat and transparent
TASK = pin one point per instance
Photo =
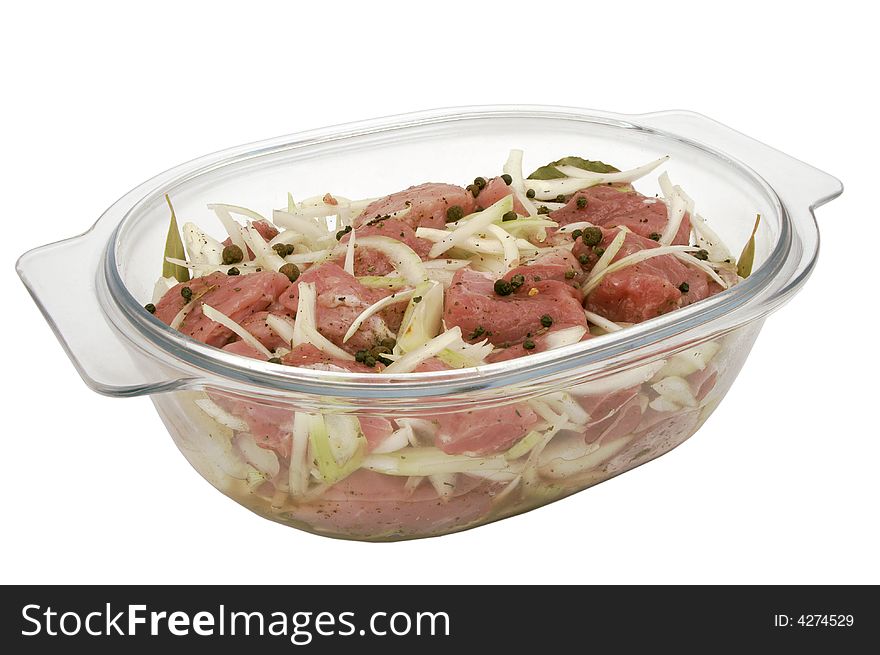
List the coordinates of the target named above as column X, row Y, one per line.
column 63, row 278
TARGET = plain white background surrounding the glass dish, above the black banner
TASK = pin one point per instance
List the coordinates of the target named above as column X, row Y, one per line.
column 781, row 485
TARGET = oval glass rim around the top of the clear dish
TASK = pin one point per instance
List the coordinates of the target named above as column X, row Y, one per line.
column 263, row 375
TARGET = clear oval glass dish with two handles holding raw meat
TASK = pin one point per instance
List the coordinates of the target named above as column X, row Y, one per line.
column 597, row 401
